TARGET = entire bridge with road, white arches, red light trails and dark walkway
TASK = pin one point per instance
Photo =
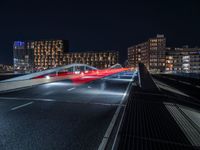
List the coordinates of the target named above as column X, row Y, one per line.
column 115, row 108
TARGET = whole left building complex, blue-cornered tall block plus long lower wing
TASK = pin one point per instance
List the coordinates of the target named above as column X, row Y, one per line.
column 32, row 56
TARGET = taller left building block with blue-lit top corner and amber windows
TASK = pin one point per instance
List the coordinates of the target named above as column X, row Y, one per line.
column 38, row 55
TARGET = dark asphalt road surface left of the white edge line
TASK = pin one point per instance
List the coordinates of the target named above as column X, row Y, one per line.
column 60, row 115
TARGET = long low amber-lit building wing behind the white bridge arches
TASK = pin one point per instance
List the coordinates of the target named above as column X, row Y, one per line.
column 103, row 59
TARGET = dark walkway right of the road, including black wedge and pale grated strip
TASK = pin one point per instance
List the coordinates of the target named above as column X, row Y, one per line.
column 160, row 119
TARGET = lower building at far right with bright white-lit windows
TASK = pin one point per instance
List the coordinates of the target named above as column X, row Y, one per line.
column 183, row 60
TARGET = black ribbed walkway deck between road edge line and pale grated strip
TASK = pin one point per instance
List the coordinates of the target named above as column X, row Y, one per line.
column 148, row 125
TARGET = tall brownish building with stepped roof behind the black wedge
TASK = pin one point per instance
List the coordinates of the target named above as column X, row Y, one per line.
column 151, row 53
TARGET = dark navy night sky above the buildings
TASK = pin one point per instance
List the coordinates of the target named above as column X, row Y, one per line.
column 98, row 24
